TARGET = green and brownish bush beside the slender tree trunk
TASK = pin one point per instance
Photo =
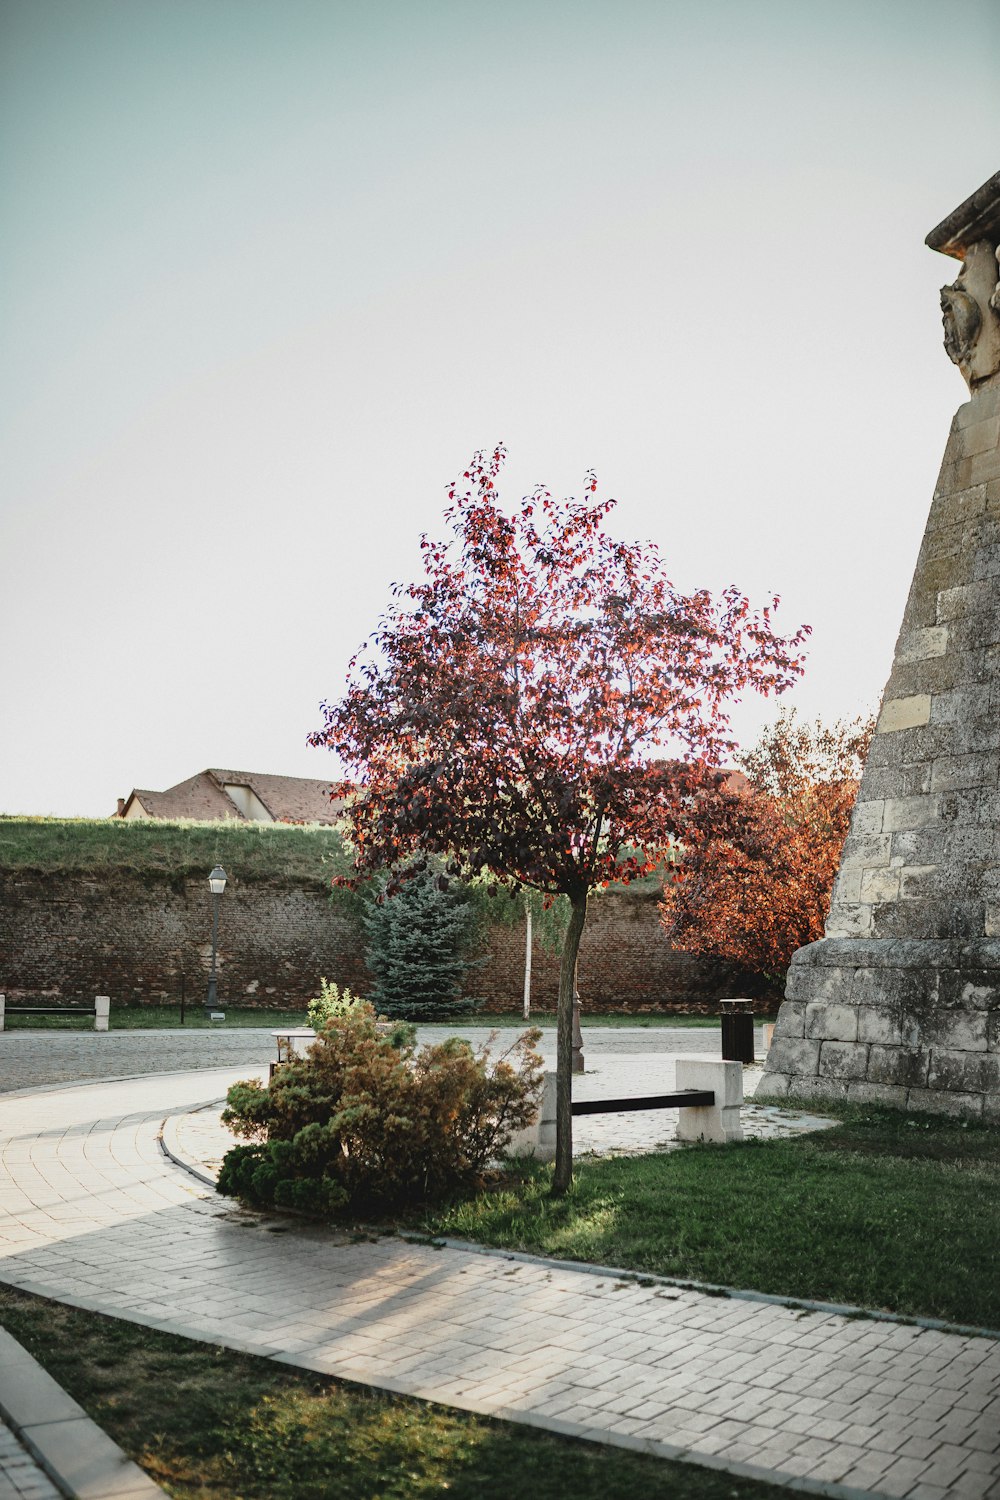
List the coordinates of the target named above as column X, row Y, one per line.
column 365, row 1126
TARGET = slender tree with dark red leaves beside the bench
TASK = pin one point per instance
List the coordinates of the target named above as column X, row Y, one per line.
column 543, row 706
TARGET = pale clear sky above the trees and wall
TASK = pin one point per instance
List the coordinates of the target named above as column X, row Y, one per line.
column 275, row 269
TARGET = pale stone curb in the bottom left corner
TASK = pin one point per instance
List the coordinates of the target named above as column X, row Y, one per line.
column 76, row 1454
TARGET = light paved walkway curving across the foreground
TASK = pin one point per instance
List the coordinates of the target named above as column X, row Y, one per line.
column 92, row 1213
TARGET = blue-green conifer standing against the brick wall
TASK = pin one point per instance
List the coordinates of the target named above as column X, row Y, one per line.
column 418, row 950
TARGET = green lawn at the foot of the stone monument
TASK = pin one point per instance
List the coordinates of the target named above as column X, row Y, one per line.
column 885, row 1211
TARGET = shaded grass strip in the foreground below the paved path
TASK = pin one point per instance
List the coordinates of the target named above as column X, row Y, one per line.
column 212, row 1426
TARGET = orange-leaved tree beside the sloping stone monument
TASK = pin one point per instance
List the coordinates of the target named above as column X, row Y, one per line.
column 756, row 872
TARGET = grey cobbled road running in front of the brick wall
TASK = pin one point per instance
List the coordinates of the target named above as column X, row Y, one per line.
column 32, row 1058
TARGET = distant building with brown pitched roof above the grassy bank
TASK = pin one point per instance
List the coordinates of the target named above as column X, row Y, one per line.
column 247, row 797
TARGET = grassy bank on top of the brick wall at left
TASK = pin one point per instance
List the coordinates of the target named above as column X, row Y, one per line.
column 172, row 850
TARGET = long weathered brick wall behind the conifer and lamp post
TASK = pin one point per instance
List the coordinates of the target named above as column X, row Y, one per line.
column 76, row 937
